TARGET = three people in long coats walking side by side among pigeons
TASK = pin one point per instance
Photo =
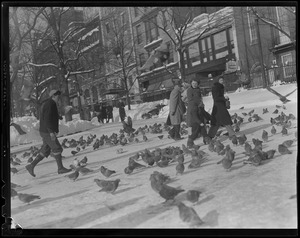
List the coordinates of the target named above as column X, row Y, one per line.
column 196, row 116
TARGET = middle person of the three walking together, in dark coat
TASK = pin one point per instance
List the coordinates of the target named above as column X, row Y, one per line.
column 195, row 113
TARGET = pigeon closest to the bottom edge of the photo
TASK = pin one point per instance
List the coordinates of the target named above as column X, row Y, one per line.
column 189, row 215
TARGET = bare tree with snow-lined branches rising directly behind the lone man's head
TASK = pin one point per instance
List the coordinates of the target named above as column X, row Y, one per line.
column 63, row 51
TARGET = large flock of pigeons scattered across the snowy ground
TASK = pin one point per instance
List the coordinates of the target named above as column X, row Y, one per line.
column 163, row 157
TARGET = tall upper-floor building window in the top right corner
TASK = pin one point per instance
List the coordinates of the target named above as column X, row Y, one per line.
column 283, row 21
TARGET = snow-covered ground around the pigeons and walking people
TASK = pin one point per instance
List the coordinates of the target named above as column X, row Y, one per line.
column 245, row 197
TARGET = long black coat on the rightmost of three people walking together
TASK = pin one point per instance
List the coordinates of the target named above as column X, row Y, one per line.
column 220, row 115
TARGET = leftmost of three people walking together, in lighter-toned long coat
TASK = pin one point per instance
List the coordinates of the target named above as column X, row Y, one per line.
column 177, row 109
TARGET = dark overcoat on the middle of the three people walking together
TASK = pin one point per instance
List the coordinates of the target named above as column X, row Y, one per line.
column 194, row 99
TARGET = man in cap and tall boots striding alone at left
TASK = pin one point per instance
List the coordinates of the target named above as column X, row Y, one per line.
column 49, row 118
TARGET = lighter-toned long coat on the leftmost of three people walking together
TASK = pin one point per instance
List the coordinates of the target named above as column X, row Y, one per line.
column 176, row 106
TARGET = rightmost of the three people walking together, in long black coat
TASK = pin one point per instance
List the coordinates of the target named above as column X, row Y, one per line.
column 220, row 114
